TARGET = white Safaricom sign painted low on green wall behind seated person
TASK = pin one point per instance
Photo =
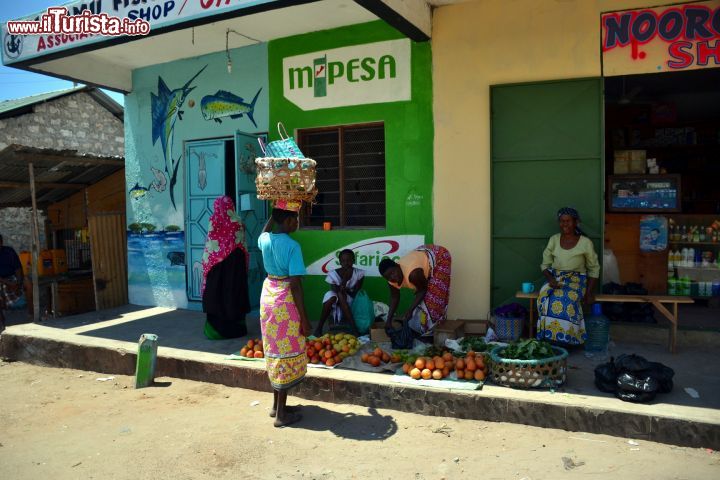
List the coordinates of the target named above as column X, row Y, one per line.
column 369, row 253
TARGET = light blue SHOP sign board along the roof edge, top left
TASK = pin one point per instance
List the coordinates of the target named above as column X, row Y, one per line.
column 159, row 13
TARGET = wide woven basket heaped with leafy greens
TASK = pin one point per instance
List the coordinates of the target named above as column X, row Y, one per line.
column 529, row 364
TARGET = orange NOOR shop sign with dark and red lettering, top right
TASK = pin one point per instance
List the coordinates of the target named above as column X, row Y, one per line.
column 671, row 38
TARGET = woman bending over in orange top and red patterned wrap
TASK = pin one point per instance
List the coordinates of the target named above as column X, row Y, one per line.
column 426, row 270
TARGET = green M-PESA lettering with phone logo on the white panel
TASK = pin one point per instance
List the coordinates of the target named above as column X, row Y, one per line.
column 323, row 73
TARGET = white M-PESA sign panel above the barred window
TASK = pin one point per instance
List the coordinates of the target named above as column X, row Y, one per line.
column 358, row 75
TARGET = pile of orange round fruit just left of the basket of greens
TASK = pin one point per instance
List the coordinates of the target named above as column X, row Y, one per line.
column 471, row 367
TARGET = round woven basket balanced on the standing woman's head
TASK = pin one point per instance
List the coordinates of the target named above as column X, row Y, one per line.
column 285, row 179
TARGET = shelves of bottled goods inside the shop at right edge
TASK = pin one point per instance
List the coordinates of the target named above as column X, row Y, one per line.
column 694, row 255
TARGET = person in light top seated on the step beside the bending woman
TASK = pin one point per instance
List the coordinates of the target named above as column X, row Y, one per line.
column 345, row 282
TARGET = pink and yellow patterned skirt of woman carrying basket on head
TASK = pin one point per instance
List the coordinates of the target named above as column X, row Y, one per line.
column 283, row 344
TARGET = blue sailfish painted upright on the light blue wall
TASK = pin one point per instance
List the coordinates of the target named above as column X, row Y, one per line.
column 166, row 109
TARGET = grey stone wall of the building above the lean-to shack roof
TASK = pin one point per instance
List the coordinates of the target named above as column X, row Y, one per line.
column 74, row 122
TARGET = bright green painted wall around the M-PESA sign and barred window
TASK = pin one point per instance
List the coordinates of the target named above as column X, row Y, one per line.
column 408, row 146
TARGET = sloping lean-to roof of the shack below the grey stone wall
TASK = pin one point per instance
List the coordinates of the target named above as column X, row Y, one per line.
column 58, row 173
